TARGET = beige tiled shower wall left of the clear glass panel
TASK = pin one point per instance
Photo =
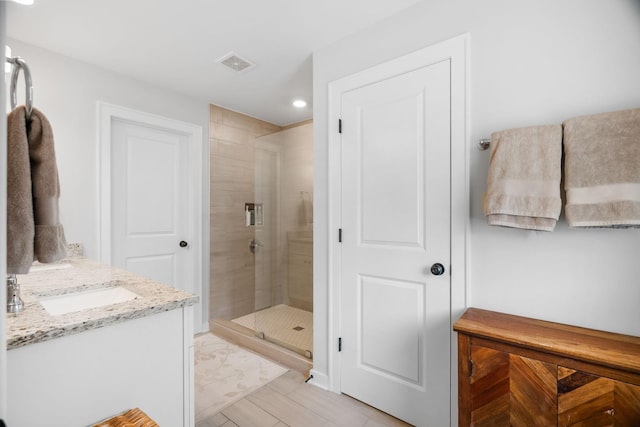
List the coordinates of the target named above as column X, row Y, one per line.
column 232, row 141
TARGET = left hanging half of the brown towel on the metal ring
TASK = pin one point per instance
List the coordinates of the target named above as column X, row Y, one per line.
column 20, row 223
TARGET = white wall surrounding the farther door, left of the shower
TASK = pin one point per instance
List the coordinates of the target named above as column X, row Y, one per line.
column 67, row 92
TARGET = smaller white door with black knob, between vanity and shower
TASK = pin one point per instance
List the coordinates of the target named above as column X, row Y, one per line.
column 150, row 212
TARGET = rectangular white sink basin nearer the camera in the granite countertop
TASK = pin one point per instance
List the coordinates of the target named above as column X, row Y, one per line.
column 78, row 301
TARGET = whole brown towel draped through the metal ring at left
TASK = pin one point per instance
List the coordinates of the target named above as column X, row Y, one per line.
column 34, row 231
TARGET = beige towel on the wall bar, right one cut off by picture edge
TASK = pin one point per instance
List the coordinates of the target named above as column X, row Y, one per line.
column 602, row 169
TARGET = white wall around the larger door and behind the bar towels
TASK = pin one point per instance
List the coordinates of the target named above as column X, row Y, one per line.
column 531, row 62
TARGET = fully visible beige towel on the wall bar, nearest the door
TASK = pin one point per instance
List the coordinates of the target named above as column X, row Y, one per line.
column 523, row 183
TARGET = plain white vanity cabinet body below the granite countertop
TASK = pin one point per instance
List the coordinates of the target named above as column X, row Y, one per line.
column 80, row 379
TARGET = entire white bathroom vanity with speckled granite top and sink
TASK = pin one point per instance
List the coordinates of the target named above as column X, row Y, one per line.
column 94, row 341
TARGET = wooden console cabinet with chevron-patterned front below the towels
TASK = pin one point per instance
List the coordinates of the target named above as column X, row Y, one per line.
column 516, row 371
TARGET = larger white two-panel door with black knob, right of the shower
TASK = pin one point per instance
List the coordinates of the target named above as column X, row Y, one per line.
column 396, row 247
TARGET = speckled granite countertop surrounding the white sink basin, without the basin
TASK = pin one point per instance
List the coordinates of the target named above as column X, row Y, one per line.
column 34, row 324
